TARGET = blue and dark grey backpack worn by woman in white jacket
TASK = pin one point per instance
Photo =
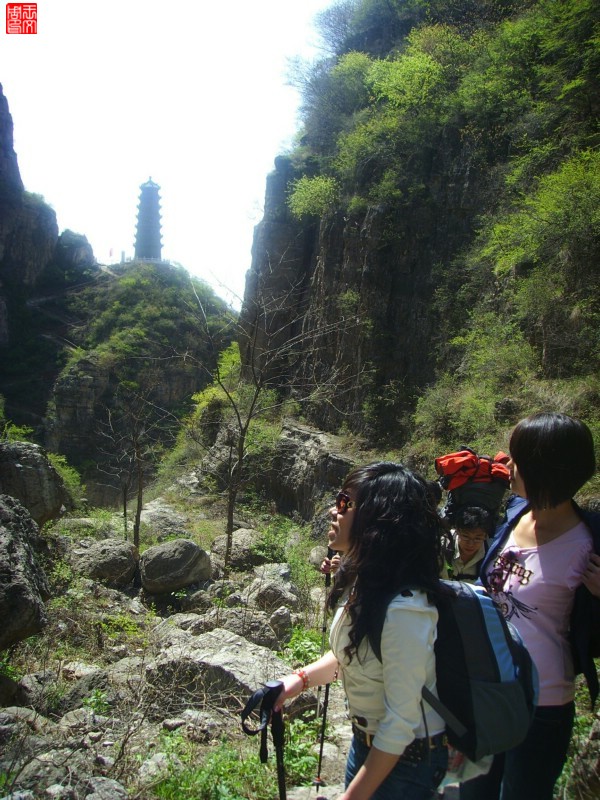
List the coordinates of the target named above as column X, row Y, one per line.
column 487, row 683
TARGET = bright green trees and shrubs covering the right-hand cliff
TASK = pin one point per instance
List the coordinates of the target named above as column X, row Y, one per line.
column 483, row 118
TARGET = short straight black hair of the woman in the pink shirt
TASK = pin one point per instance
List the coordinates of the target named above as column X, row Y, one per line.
column 554, row 454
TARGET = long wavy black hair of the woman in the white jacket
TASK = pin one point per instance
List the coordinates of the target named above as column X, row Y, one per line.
column 394, row 544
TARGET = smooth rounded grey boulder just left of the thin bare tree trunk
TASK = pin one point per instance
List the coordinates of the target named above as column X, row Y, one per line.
column 173, row 565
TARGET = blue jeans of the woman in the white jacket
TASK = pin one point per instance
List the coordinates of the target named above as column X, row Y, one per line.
column 406, row 781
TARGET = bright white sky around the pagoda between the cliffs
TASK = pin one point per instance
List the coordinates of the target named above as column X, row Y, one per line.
column 193, row 94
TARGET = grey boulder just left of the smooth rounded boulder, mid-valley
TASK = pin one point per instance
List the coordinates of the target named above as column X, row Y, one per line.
column 111, row 561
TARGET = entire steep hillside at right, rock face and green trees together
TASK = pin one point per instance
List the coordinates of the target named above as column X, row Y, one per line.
column 442, row 203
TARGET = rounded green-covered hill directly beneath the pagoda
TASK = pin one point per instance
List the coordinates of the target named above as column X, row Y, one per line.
column 147, row 336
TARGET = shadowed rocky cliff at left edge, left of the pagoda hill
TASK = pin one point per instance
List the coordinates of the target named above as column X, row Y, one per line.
column 34, row 262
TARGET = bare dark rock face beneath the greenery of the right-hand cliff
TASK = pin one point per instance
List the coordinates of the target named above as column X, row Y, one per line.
column 356, row 292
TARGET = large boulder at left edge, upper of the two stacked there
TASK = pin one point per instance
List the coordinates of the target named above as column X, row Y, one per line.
column 27, row 474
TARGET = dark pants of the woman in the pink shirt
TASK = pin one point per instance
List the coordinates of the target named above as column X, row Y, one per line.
column 529, row 771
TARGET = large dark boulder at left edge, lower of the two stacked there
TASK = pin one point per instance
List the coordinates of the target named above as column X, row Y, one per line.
column 23, row 584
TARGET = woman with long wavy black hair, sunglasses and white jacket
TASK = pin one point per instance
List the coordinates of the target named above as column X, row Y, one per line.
column 382, row 637
